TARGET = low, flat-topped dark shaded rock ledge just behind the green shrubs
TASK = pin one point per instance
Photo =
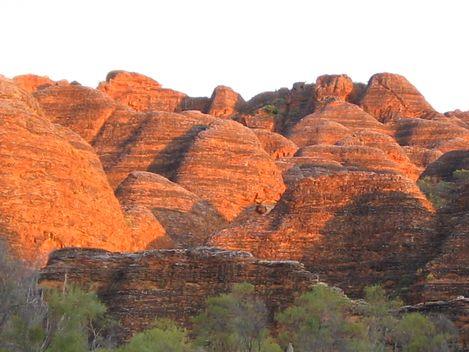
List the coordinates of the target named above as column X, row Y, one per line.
column 172, row 283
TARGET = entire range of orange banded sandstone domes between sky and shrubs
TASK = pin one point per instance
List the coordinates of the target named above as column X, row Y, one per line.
column 322, row 173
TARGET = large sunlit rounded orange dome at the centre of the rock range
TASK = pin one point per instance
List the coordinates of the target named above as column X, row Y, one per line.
column 227, row 166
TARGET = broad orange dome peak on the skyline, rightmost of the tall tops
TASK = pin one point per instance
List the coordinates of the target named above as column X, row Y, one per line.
column 390, row 96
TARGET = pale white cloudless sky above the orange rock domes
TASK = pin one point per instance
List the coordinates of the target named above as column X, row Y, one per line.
column 252, row 46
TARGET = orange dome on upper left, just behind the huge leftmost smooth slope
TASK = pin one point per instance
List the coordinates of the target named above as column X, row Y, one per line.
column 84, row 110
